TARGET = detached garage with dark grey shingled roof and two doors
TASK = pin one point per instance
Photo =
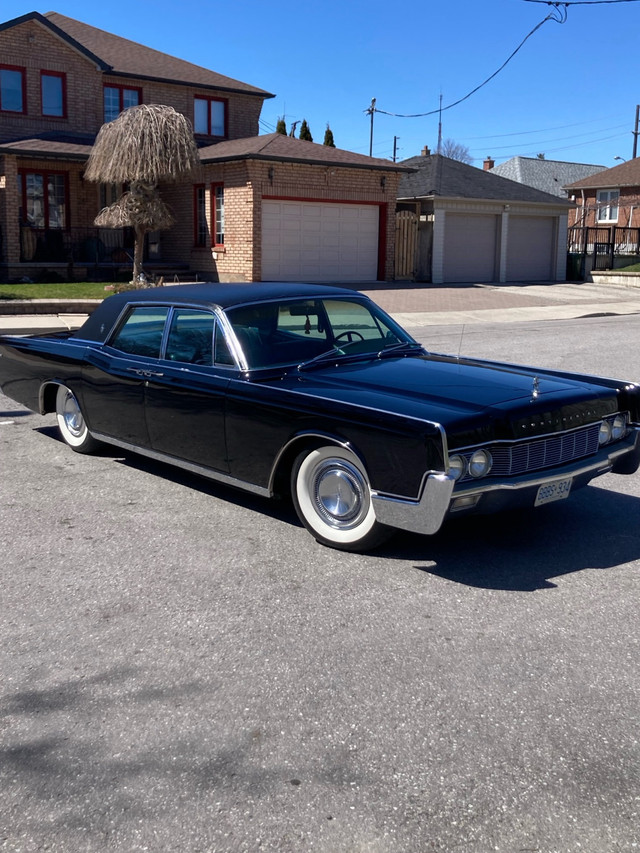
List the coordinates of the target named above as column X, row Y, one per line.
column 474, row 226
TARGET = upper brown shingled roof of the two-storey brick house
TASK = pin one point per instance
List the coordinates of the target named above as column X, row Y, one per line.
column 121, row 57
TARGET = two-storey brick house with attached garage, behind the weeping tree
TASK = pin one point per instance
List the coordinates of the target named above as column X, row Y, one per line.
column 261, row 208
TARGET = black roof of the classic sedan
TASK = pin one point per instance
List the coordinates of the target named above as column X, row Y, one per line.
column 206, row 295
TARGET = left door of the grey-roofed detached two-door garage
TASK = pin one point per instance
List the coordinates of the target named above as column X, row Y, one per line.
column 470, row 247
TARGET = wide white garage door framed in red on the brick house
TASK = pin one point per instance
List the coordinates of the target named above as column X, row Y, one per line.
column 309, row 241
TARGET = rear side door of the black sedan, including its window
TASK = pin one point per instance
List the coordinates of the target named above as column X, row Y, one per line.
column 114, row 379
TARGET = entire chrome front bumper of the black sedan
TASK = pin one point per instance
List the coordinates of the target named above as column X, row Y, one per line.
column 442, row 497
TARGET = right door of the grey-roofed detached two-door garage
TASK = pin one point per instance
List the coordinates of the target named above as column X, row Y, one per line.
column 530, row 248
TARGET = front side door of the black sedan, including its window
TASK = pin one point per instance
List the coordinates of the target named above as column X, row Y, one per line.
column 185, row 397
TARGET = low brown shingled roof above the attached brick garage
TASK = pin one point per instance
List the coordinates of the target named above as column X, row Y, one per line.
column 276, row 146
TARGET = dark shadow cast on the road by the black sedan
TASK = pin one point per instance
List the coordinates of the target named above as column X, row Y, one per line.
column 596, row 528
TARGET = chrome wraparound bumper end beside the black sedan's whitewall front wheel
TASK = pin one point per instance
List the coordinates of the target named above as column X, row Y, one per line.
column 423, row 516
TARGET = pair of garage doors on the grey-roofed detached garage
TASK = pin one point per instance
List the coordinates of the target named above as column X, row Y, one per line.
column 472, row 248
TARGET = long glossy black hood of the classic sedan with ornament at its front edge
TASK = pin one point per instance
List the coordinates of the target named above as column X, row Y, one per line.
column 465, row 396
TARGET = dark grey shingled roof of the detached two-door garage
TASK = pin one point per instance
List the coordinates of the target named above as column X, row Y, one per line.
column 442, row 177
